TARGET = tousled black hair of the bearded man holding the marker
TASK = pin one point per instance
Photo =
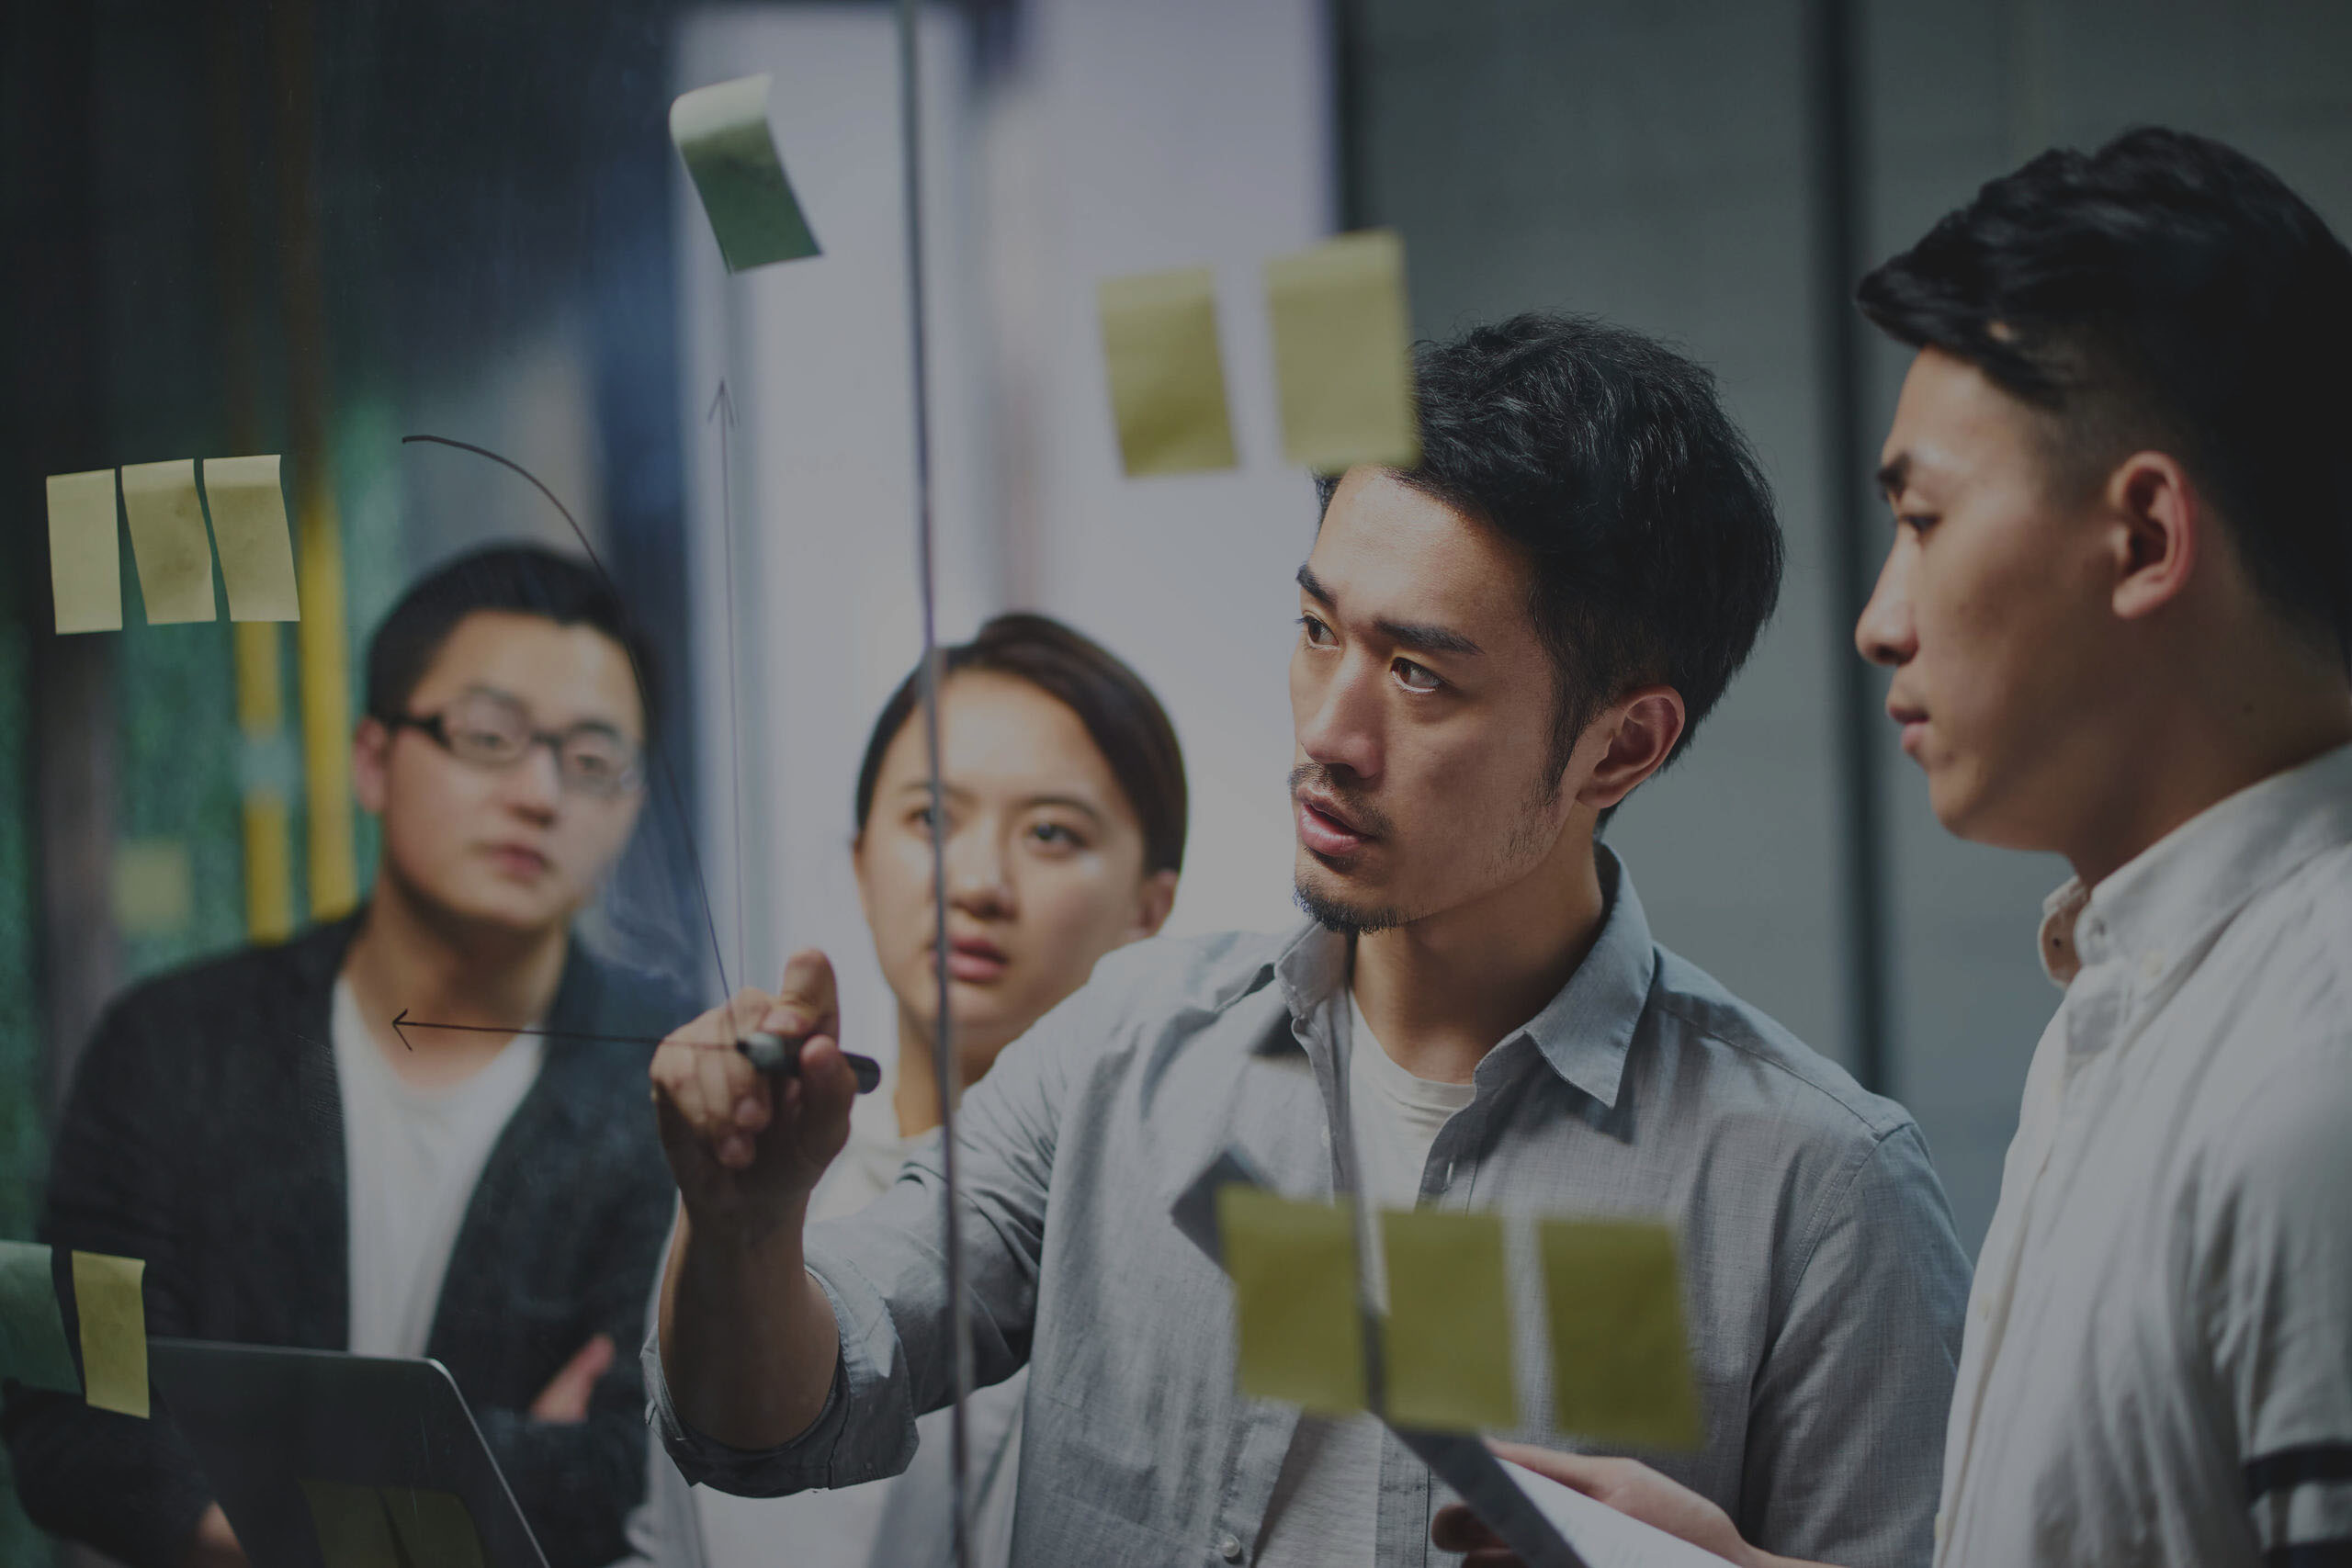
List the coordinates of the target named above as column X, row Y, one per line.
column 1643, row 511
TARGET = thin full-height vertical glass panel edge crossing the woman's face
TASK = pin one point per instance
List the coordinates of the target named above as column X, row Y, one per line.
column 944, row 1033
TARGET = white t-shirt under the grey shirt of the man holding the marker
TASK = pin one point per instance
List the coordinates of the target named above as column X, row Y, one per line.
column 1325, row 1503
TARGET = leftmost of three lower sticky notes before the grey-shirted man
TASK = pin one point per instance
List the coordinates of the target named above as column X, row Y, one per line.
column 1297, row 1301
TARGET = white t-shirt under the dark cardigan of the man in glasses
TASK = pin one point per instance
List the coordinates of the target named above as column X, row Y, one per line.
column 413, row 1158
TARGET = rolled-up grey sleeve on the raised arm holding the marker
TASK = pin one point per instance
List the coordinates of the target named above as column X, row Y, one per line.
column 886, row 1275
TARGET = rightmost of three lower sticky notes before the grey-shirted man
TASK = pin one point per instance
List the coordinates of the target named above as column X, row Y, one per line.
column 1622, row 1362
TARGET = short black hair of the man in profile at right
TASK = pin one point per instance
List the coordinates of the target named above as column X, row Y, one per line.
column 2163, row 293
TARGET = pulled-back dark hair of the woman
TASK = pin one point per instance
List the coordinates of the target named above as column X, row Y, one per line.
column 1121, row 713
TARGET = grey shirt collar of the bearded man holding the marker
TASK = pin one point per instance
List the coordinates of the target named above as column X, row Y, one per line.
column 1582, row 1033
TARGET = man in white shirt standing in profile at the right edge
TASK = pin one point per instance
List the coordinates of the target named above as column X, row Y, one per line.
column 2118, row 612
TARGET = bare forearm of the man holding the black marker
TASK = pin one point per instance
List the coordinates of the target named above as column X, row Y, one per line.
column 747, row 1339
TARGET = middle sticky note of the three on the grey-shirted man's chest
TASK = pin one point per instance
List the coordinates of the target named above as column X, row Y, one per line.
column 1448, row 1322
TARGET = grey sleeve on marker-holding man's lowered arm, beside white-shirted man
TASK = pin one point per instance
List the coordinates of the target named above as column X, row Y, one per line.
column 1847, row 1416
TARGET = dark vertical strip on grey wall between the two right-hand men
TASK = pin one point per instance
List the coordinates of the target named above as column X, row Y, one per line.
column 1838, row 229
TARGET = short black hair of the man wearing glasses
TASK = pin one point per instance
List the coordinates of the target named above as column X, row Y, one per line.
column 509, row 579
